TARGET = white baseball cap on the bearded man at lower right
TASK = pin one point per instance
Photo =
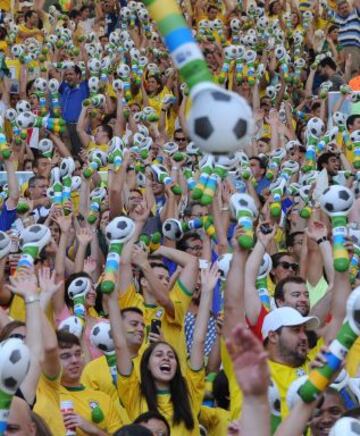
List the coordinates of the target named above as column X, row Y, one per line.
column 286, row 317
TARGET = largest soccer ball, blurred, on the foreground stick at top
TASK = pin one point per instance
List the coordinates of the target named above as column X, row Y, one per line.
column 220, row 121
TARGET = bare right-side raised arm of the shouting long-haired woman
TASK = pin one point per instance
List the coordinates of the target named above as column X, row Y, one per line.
column 209, row 278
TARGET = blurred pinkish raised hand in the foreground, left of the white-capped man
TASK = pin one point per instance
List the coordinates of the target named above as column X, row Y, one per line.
column 249, row 361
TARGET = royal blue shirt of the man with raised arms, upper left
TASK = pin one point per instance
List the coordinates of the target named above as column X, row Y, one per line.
column 71, row 100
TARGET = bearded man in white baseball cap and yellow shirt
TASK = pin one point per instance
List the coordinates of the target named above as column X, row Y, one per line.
column 285, row 340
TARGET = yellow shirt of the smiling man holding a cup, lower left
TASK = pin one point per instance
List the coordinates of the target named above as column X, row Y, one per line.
column 85, row 399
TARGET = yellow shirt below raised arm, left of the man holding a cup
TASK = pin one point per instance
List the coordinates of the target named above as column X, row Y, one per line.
column 48, row 404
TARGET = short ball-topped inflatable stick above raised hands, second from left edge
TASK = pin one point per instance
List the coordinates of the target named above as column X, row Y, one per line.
column 32, row 240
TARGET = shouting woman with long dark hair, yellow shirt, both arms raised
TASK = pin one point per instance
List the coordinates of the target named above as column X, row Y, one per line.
column 165, row 385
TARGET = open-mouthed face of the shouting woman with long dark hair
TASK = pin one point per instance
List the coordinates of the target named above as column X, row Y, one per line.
column 162, row 364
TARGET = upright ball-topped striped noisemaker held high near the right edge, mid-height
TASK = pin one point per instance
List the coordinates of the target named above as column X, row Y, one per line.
column 336, row 201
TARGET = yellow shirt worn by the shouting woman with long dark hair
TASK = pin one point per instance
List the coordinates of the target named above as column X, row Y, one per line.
column 135, row 404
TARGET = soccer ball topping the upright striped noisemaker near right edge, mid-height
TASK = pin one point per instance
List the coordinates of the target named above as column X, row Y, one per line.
column 336, row 200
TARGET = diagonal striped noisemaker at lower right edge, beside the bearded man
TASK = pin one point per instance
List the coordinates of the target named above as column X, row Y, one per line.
column 320, row 378
